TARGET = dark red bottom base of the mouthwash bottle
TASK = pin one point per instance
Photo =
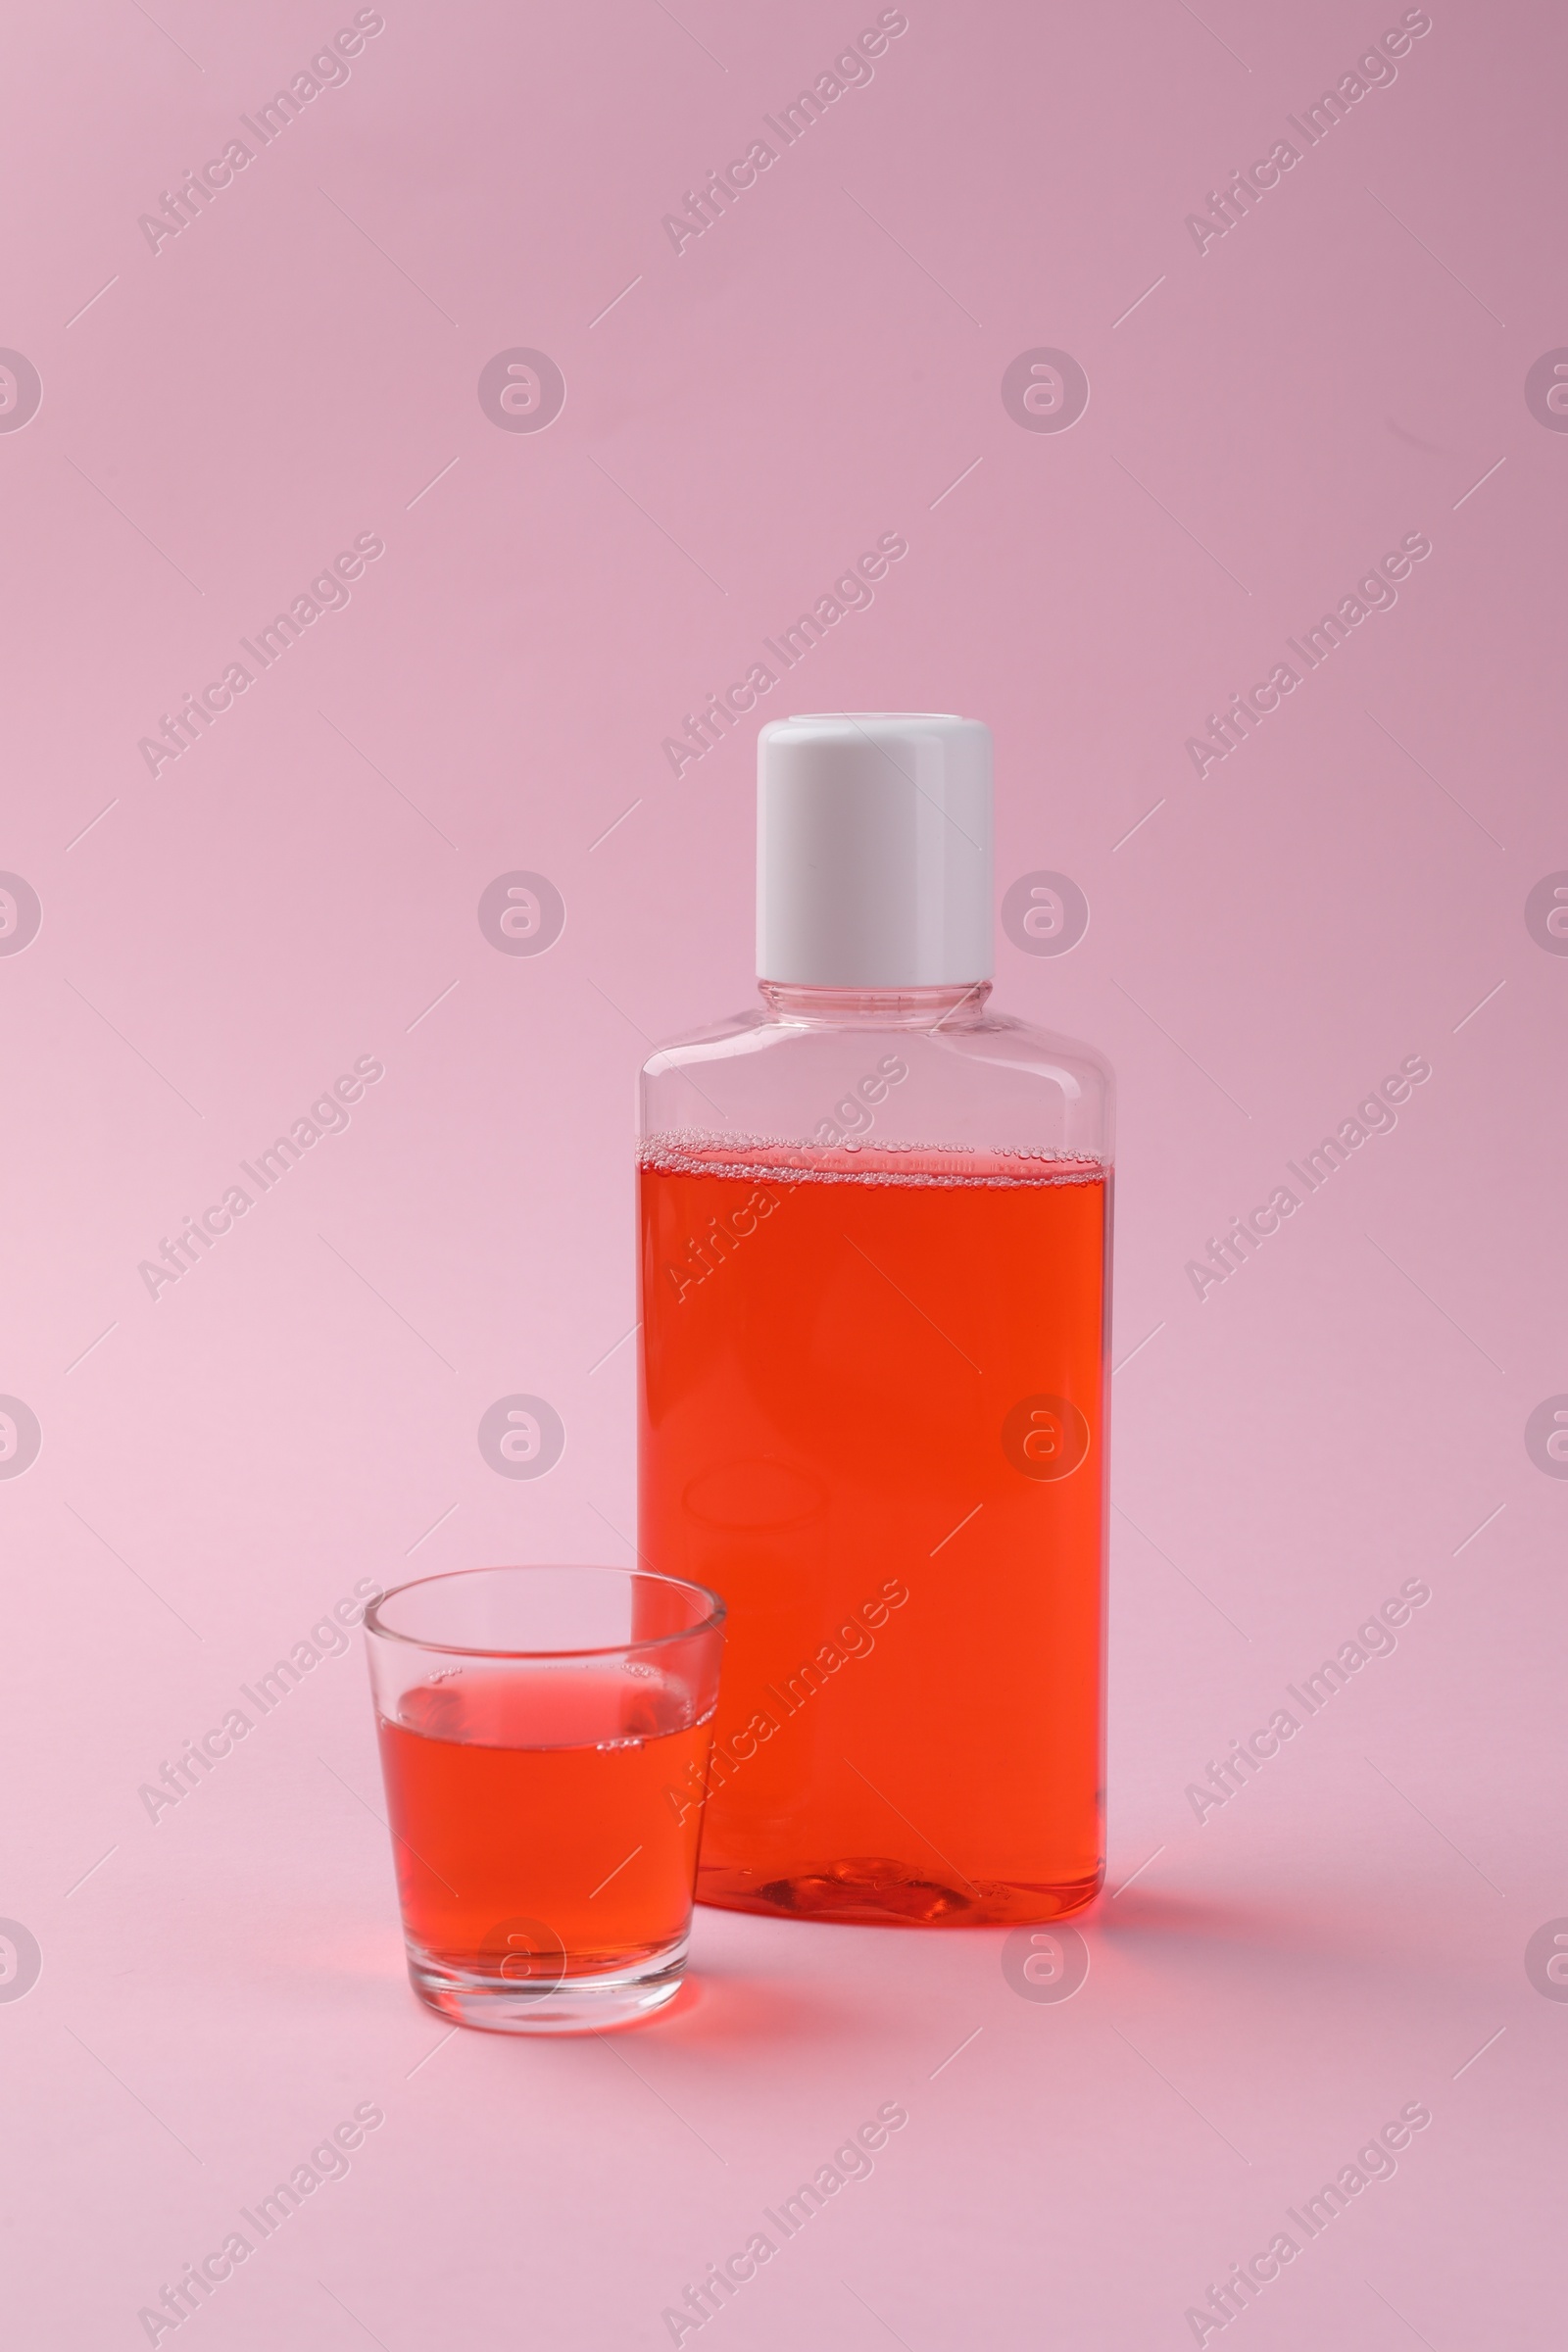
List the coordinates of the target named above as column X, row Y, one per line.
column 880, row 1892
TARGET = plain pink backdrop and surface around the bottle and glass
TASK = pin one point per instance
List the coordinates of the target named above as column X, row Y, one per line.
column 300, row 1412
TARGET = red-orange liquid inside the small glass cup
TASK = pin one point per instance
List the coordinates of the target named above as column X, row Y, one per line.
column 535, row 1824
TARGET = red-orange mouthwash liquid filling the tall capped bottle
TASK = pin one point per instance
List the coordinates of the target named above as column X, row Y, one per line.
column 873, row 1424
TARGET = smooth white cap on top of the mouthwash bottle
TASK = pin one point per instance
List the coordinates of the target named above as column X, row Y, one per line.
column 876, row 850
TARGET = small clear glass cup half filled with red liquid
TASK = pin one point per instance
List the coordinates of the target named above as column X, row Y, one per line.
column 544, row 1744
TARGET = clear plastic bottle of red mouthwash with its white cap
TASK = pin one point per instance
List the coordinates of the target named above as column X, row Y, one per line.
column 876, row 1323
